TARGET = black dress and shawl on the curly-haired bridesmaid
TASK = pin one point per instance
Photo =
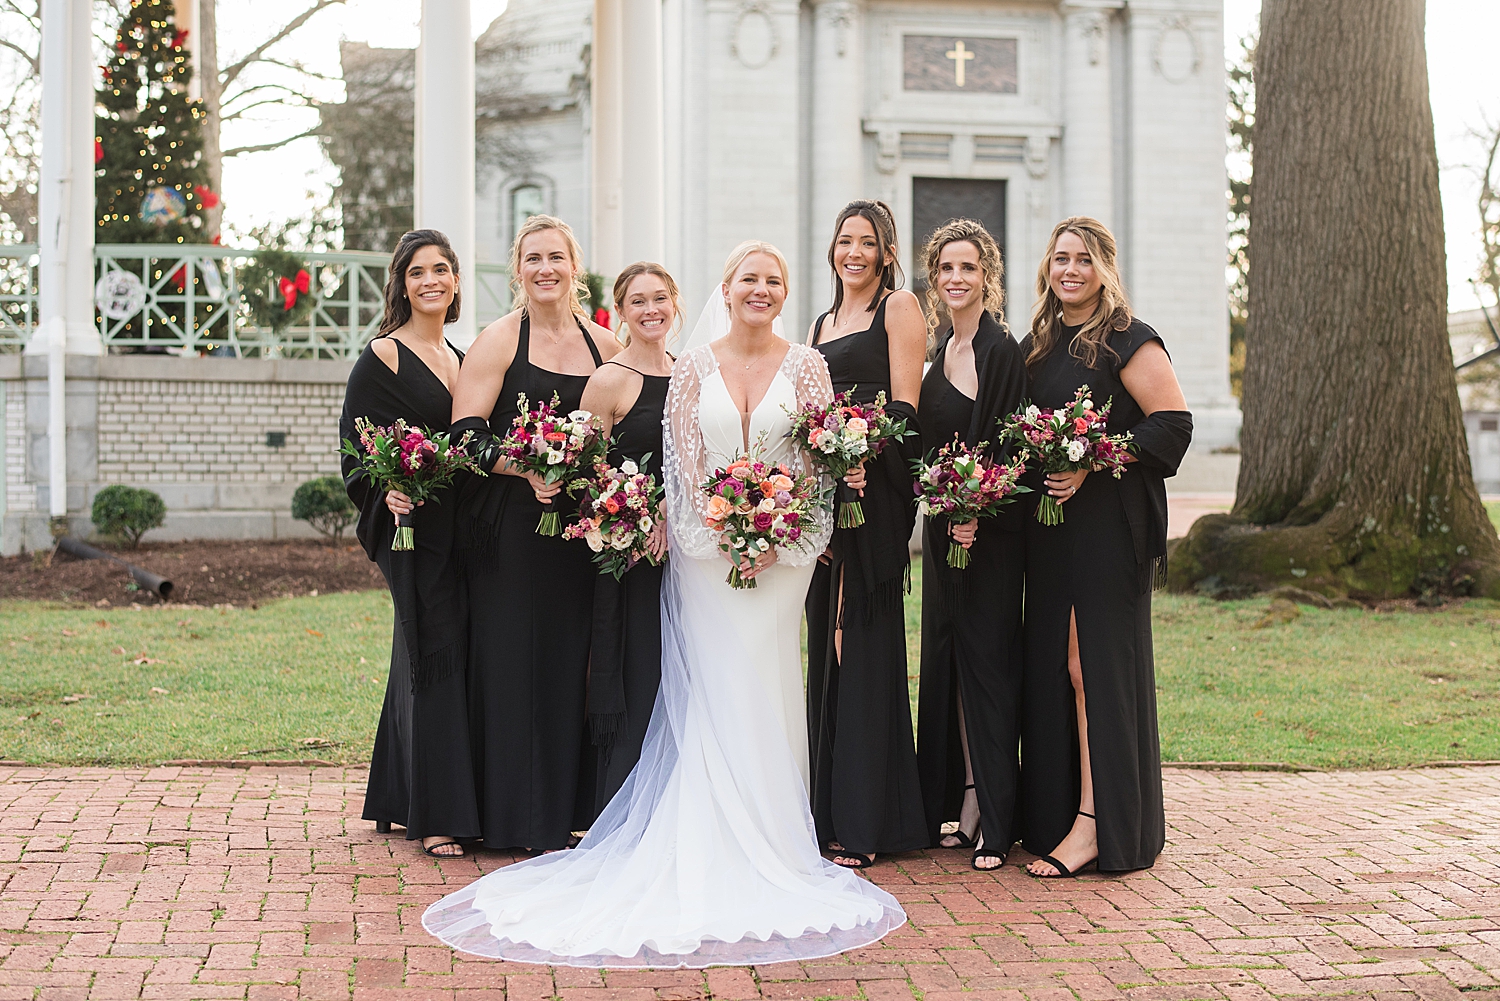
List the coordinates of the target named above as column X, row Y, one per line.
column 973, row 618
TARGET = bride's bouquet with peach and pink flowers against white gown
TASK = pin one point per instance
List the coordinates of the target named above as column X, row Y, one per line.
column 757, row 505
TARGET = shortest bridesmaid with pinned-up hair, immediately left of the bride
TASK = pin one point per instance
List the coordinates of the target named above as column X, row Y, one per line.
column 629, row 395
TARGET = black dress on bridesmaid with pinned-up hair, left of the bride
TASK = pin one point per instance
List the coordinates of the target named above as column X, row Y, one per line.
column 626, row 660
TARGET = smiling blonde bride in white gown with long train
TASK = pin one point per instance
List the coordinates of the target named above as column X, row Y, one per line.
column 707, row 855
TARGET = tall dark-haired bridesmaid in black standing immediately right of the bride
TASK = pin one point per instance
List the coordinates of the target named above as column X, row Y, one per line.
column 866, row 792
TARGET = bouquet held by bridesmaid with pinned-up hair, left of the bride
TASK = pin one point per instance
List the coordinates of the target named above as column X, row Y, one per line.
column 617, row 519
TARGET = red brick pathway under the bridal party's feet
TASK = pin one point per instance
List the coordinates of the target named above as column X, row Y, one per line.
column 223, row 883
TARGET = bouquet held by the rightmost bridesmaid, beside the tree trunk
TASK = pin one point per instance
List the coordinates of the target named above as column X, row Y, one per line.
column 1064, row 440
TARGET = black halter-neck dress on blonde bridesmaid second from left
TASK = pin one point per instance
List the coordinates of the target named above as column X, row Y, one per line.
column 532, row 603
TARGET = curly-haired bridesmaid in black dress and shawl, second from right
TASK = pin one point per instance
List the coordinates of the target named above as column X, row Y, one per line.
column 971, row 675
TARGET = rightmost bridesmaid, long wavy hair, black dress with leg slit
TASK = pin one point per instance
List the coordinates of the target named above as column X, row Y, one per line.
column 1093, row 781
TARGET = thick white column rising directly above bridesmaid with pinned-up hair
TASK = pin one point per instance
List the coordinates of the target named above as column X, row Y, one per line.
column 641, row 134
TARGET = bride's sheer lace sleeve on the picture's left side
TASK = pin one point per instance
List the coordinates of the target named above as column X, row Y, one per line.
column 683, row 458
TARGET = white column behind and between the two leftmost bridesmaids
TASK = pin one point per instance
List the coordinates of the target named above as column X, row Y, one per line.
column 445, row 136
